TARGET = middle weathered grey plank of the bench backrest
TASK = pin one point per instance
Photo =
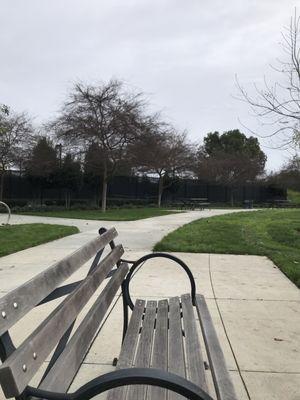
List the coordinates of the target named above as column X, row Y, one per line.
column 13, row 377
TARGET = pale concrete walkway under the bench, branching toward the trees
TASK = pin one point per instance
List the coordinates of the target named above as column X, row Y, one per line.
column 255, row 308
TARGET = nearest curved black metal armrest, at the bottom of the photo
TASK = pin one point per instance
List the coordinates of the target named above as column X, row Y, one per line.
column 123, row 377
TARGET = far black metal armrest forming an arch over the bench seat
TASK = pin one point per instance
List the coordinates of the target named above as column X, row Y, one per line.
column 140, row 261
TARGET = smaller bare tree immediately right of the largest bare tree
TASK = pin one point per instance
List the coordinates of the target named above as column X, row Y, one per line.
column 162, row 151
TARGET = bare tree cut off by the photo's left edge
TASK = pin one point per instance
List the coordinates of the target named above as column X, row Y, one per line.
column 15, row 130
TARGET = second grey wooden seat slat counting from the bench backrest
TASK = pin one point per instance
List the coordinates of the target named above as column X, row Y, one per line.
column 143, row 356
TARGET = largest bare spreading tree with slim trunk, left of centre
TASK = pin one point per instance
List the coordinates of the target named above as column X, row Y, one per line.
column 105, row 115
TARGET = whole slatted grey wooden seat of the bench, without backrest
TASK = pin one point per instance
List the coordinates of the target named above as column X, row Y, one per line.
column 173, row 349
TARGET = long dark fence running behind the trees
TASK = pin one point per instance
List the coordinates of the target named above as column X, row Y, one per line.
column 20, row 189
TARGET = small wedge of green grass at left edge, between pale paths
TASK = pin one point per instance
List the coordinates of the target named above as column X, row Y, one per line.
column 19, row 237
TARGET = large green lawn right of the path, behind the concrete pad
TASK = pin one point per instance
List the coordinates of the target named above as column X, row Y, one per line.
column 271, row 233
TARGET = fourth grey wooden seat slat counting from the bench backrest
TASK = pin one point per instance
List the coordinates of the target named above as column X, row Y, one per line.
column 176, row 351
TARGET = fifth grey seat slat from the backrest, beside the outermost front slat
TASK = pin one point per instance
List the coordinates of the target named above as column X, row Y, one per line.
column 194, row 359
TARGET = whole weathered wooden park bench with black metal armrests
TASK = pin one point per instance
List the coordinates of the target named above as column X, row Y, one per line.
column 160, row 346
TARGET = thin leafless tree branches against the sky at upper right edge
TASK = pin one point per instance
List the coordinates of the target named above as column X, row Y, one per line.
column 278, row 104
